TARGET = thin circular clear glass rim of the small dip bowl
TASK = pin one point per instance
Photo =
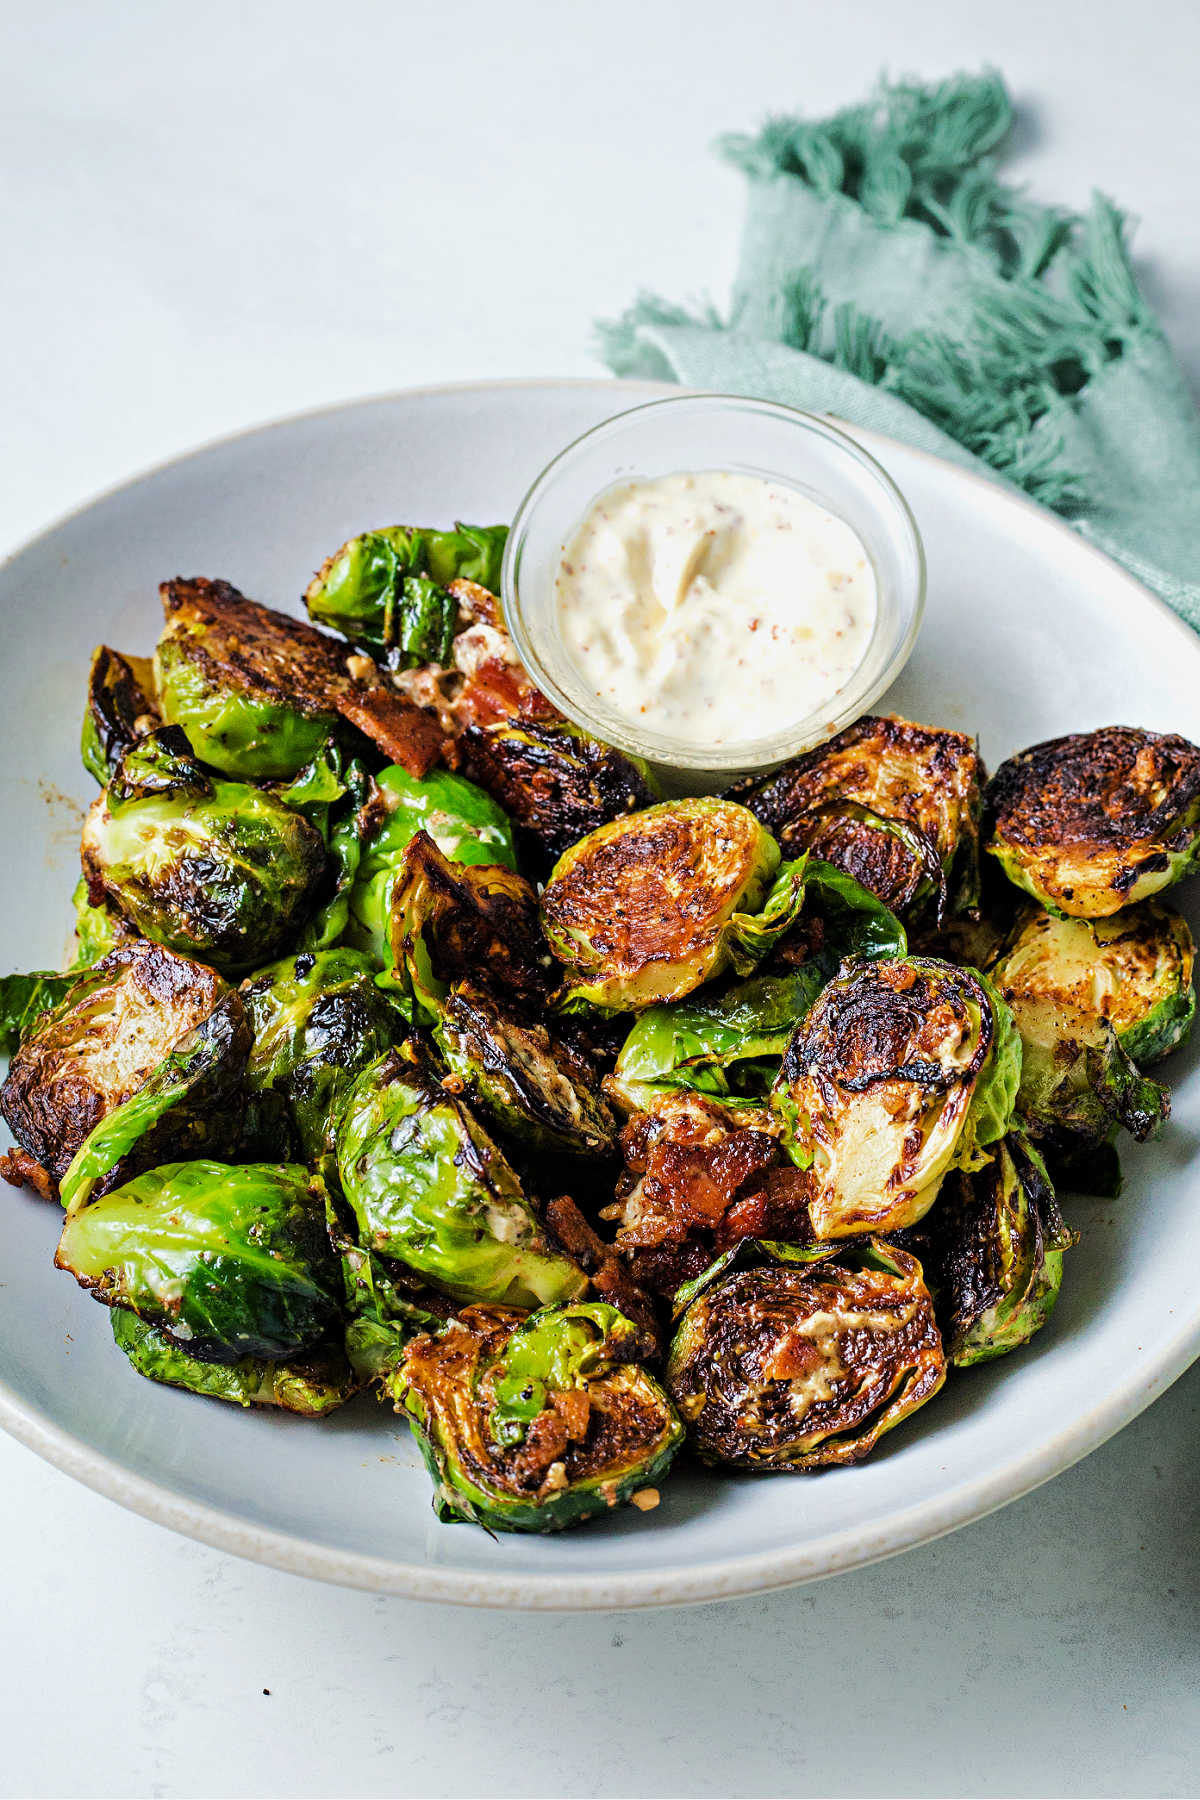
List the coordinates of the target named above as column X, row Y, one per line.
column 841, row 710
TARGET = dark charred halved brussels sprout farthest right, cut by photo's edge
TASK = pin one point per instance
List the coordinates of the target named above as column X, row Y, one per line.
column 1100, row 820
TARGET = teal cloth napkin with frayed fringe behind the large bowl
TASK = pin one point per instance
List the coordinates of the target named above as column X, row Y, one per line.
column 890, row 276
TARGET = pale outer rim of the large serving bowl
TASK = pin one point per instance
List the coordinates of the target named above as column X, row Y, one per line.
column 758, row 1572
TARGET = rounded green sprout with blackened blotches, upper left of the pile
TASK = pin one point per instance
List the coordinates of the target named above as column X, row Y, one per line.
column 211, row 868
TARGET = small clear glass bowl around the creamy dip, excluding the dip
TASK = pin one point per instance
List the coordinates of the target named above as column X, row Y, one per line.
column 685, row 436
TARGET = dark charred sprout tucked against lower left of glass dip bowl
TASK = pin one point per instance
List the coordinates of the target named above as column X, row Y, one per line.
column 555, row 782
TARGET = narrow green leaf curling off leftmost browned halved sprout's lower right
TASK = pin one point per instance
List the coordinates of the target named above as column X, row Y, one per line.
column 192, row 1104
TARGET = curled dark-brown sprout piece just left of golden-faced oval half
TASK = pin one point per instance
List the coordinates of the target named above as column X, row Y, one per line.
column 454, row 922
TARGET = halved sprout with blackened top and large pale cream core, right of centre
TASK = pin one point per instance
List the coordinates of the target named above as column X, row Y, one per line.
column 902, row 1072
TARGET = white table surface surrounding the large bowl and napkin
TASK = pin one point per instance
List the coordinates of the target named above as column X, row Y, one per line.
column 220, row 213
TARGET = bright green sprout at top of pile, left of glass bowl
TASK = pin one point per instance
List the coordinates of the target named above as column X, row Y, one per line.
column 388, row 589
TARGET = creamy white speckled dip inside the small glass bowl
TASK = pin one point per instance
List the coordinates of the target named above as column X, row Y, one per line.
column 722, row 607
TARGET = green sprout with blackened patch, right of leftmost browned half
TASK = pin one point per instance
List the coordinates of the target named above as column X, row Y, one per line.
column 318, row 1023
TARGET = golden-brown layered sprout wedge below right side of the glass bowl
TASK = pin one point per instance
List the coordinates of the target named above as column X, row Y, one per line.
column 891, row 804
